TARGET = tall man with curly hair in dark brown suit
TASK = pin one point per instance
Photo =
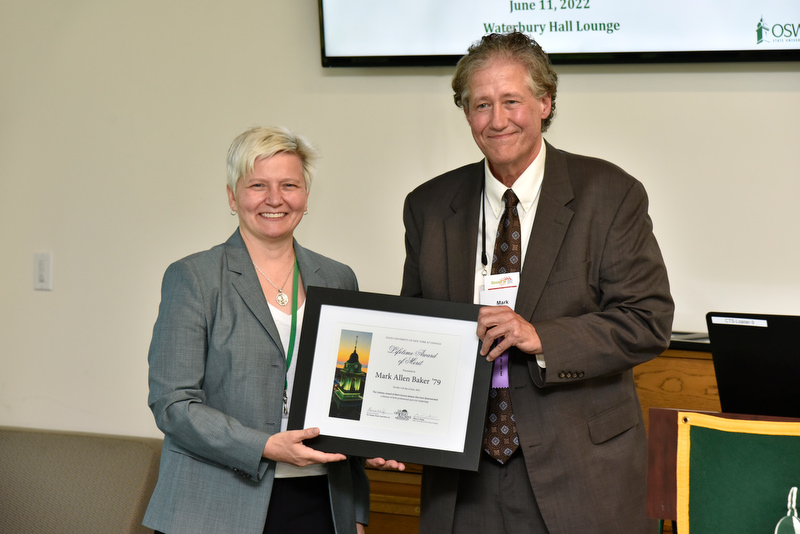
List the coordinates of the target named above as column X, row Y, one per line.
column 593, row 301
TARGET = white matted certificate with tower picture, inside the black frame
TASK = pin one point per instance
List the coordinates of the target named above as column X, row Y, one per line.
column 392, row 378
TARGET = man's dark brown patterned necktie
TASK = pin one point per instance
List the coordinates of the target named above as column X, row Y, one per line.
column 500, row 438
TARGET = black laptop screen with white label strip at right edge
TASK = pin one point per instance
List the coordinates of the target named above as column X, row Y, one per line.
column 756, row 362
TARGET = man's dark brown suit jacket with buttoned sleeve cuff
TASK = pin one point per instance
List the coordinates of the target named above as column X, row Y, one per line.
column 595, row 287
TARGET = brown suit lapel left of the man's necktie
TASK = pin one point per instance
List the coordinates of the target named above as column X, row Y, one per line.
column 461, row 235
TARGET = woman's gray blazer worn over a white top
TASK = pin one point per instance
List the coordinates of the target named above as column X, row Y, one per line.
column 217, row 371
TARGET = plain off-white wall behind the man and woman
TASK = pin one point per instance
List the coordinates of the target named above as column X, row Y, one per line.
column 115, row 117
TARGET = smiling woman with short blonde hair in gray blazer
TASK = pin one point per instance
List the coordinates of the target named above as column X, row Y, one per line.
column 221, row 366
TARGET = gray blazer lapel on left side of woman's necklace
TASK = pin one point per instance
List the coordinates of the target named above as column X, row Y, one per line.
column 245, row 281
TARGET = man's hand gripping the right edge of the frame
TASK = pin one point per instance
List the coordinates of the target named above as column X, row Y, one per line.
column 502, row 324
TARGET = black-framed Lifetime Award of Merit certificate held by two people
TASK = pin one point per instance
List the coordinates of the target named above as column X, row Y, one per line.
column 391, row 377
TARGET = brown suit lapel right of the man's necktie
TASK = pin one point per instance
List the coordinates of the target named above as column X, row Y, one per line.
column 549, row 228
